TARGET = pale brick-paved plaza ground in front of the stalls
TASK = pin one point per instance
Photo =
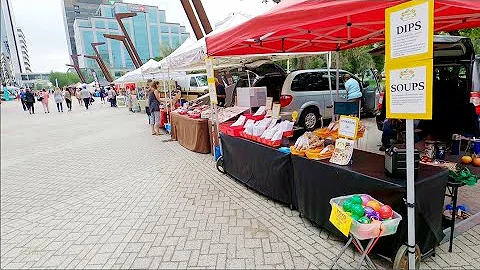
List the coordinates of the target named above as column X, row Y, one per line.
column 93, row 189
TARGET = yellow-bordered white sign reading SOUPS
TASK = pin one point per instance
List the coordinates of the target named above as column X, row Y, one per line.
column 409, row 90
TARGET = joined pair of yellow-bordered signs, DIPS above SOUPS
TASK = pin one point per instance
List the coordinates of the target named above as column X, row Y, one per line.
column 409, row 60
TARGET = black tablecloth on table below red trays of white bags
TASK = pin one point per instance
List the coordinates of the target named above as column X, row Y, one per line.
column 260, row 167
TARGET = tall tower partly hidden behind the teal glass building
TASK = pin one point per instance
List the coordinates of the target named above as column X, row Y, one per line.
column 73, row 9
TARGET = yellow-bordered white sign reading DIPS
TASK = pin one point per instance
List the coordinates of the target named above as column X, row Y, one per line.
column 409, row 31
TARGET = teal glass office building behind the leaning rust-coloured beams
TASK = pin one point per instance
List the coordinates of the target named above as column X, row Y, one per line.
column 149, row 31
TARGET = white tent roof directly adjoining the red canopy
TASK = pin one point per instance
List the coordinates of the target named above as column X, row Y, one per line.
column 191, row 54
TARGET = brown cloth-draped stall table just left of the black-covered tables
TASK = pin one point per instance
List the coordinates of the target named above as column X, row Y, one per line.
column 191, row 133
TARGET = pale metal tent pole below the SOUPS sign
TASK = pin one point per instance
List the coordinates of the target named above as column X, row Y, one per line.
column 410, row 193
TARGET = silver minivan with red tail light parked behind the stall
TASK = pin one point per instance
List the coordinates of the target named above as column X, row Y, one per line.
column 308, row 93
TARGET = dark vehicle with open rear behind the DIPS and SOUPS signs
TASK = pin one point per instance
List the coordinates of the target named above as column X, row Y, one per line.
column 455, row 89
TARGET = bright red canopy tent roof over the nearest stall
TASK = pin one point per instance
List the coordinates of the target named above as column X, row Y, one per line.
column 296, row 26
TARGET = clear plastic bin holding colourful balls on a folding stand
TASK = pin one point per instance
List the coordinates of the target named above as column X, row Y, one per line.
column 369, row 231
